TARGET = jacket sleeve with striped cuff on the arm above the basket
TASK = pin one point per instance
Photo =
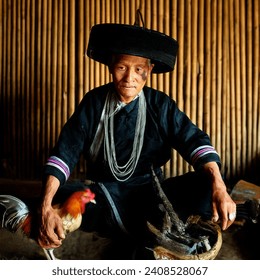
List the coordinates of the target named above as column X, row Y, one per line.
column 185, row 137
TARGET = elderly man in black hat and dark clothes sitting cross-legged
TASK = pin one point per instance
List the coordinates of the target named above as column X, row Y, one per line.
column 122, row 129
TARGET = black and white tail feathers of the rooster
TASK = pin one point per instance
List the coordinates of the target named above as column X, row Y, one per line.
column 13, row 214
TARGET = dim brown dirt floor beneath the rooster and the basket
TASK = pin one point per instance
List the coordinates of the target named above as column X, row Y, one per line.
column 239, row 243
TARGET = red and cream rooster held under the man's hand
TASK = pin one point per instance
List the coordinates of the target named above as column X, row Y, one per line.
column 15, row 215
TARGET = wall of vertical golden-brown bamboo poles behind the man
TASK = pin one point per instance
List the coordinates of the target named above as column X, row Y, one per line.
column 44, row 73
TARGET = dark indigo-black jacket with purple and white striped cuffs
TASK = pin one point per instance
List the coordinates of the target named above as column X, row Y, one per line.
column 166, row 128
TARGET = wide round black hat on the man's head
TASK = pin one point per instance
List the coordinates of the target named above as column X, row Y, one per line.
column 107, row 39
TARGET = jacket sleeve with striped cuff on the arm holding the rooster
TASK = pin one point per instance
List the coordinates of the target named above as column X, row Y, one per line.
column 76, row 135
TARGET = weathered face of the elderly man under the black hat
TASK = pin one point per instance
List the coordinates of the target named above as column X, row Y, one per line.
column 130, row 74
